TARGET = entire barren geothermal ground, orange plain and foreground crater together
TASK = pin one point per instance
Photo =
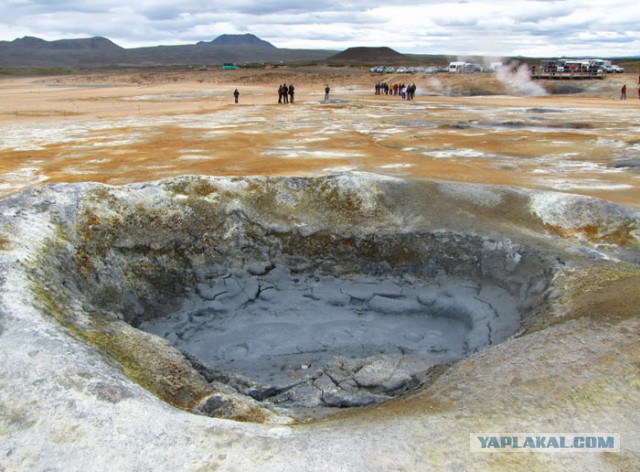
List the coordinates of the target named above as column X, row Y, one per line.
column 353, row 283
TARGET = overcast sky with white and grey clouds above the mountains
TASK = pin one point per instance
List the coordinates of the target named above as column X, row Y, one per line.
column 491, row 27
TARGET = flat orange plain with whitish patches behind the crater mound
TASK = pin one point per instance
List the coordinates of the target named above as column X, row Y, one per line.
column 122, row 127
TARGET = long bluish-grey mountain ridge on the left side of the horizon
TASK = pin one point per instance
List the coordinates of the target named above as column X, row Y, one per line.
column 101, row 52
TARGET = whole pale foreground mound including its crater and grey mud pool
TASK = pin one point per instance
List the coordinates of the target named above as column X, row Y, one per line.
column 346, row 322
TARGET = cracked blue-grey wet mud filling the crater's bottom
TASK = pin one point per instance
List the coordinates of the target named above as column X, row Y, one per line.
column 315, row 340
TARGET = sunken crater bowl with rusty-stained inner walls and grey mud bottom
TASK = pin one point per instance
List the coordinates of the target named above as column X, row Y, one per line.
column 281, row 313
